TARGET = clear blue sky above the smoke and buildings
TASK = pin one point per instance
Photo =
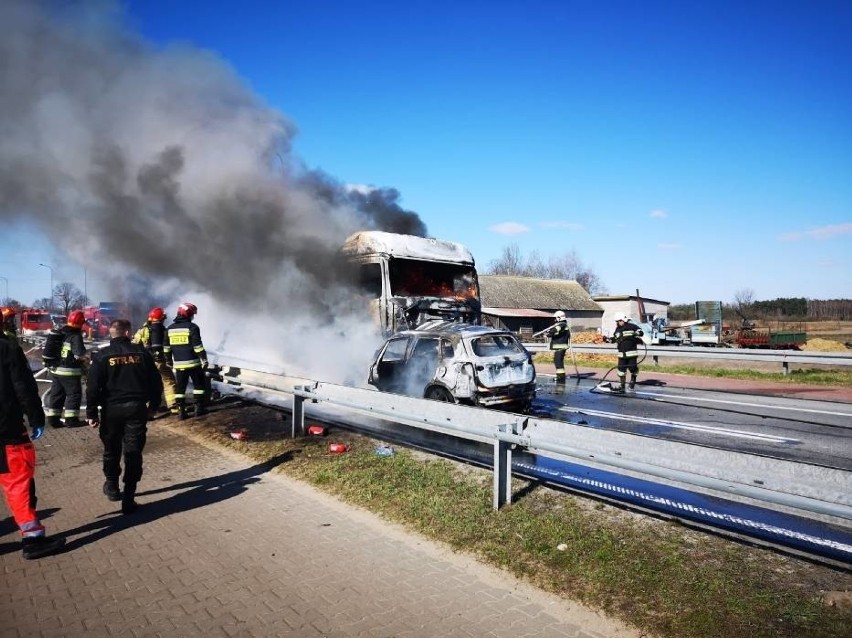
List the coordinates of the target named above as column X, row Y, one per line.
column 690, row 150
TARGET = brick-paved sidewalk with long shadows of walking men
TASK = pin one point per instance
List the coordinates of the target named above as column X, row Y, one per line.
column 224, row 548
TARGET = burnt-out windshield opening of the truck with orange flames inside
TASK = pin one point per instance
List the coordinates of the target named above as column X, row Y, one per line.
column 414, row 278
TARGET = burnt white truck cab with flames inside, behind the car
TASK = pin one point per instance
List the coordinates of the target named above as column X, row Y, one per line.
column 410, row 280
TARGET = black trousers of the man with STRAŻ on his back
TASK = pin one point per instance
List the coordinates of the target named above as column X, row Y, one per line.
column 123, row 431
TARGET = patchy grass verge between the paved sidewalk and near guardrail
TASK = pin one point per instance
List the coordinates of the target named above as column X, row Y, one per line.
column 663, row 578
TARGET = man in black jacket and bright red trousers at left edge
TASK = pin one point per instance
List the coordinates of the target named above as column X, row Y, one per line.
column 19, row 396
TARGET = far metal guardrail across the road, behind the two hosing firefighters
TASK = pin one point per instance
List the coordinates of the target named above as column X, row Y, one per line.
column 784, row 357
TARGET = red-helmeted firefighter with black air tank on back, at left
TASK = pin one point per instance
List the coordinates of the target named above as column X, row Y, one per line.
column 66, row 390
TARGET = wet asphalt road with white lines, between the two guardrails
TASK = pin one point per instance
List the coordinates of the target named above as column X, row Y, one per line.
column 796, row 428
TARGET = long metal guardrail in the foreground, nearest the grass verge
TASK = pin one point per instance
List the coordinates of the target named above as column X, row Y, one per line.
column 810, row 491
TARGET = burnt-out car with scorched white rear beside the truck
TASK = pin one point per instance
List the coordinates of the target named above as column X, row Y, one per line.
column 457, row 363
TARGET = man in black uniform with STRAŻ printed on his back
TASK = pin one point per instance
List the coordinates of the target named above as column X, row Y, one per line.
column 123, row 380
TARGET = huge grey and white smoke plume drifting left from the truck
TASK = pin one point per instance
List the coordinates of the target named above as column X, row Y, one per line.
column 162, row 172
